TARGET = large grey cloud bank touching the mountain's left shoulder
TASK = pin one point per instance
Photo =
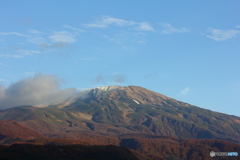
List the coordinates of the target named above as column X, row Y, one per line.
column 40, row 89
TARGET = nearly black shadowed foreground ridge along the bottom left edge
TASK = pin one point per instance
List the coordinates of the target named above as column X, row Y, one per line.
column 72, row 152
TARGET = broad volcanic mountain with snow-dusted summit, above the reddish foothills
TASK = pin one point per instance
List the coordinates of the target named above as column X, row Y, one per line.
column 115, row 110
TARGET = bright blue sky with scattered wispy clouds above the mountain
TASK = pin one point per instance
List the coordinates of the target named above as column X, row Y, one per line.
column 186, row 50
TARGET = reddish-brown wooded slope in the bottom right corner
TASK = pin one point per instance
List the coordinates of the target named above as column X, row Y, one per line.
column 165, row 148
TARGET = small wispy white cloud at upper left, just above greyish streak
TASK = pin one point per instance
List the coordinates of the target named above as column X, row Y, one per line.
column 62, row 36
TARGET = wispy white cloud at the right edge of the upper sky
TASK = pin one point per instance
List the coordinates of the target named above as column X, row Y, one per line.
column 221, row 35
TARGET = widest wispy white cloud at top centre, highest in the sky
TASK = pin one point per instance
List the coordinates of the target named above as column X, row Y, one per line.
column 107, row 20
